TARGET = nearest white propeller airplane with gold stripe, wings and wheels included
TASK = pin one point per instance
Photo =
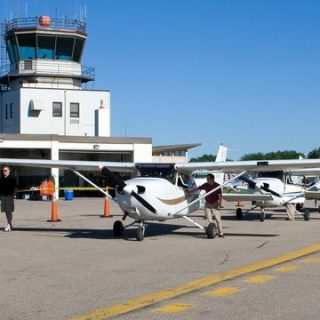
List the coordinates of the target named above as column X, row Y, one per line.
column 160, row 192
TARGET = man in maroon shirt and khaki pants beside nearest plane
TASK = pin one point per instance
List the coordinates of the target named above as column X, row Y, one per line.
column 213, row 201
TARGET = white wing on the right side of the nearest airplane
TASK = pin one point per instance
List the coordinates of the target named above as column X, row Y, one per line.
column 249, row 166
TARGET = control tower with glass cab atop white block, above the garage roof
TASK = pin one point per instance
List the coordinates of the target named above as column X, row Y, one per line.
column 42, row 87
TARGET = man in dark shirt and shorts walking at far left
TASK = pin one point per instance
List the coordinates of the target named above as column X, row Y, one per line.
column 8, row 189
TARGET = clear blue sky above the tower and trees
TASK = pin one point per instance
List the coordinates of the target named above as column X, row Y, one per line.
column 243, row 73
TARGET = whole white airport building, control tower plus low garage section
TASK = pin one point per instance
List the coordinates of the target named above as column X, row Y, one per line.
column 45, row 110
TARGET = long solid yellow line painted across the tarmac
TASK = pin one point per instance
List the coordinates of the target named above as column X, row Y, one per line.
column 161, row 295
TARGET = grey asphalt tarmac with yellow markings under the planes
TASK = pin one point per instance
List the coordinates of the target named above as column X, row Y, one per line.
column 75, row 269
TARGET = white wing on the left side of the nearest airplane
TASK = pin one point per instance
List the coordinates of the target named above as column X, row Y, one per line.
column 71, row 164
